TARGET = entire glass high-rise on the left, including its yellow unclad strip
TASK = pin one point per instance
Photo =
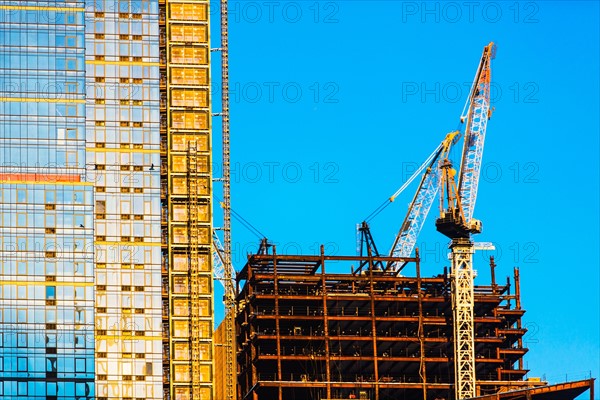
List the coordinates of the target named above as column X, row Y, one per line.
column 105, row 207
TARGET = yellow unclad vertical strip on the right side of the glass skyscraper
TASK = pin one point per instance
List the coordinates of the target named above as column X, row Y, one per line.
column 187, row 188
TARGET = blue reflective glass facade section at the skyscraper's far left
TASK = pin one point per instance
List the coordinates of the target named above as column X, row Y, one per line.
column 46, row 224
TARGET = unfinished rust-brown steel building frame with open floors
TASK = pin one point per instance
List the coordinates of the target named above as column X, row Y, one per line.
column 305, row 333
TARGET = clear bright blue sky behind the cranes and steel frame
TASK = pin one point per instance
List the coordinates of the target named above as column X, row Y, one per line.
column 334, row 103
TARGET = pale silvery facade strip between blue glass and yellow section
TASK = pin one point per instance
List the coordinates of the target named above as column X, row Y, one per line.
column 123, row 146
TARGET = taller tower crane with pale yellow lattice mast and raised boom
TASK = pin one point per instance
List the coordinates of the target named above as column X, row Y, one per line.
column 457, row 202
